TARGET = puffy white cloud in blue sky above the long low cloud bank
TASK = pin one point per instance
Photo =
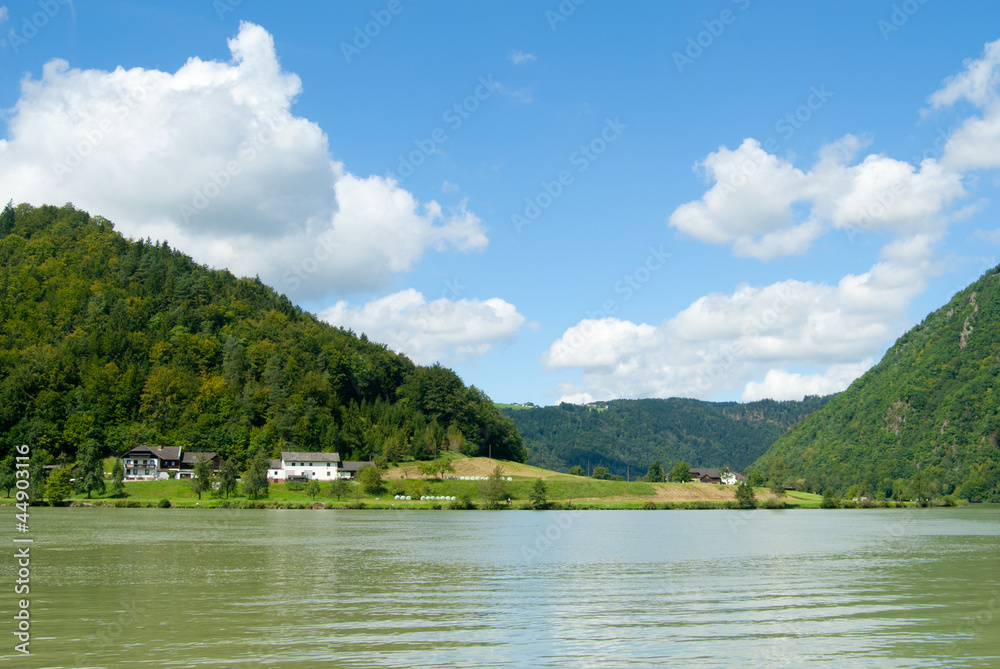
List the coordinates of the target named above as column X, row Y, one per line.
column 767, row 208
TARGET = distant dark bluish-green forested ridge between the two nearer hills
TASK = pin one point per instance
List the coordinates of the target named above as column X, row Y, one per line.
column 627, row 435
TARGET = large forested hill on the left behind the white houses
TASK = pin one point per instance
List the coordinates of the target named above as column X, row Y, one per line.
column 130, row 342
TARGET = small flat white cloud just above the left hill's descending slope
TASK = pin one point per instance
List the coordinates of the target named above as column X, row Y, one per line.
column 442, row 330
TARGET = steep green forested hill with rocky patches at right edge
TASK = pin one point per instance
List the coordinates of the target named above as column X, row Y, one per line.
column 923, row 420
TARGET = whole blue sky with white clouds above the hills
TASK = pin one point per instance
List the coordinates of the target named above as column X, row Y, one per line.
column 723, row 200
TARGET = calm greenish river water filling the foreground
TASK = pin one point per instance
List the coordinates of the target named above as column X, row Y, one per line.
column 220, row 588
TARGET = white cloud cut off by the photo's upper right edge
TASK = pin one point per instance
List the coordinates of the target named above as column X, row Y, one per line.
column 976, row 142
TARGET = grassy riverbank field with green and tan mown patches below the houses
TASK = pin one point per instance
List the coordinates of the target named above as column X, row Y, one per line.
column 564, row 490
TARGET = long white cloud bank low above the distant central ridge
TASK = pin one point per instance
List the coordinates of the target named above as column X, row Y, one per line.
column 726, row 342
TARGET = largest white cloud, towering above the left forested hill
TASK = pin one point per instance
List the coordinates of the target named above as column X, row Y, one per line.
column 212, row 159
